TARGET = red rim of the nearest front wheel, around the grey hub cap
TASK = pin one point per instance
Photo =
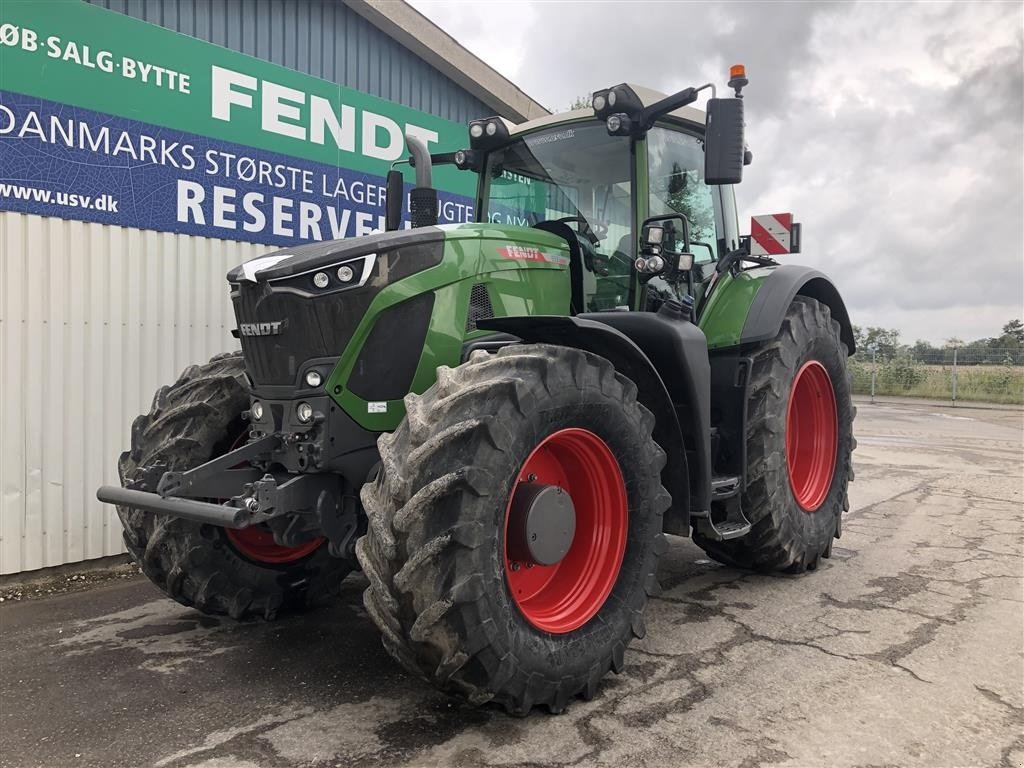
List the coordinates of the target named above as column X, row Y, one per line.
column 563, row 598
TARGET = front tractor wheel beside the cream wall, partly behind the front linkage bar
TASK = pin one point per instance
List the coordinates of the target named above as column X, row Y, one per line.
column 240, row 574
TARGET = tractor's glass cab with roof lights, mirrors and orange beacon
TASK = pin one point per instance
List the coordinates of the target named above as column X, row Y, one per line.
column 636, row 163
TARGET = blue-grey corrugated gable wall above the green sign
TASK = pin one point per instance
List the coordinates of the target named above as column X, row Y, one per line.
column 323, row 38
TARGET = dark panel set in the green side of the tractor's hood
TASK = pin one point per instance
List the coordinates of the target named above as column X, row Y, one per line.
column 388, row 362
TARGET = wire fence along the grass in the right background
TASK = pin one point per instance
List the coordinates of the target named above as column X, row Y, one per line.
column 967, row 374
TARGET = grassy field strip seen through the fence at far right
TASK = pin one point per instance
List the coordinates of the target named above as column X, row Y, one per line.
column 974, row 383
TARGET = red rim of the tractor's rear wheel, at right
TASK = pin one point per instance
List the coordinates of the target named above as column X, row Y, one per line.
column 812, row 436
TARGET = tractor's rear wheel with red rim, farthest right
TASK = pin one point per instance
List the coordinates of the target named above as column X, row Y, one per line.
column 799, row 449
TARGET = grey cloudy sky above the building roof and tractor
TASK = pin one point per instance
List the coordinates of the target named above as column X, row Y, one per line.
column 894, row 133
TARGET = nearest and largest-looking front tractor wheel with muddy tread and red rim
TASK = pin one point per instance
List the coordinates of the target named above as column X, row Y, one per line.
column 453, row 603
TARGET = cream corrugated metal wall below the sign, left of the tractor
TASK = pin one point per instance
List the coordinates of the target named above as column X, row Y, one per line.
column 94, row 319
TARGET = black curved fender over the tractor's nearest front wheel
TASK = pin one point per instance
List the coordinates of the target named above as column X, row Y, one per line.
column 629, row 360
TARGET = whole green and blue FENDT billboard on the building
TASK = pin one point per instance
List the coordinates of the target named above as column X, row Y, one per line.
column 109, row 119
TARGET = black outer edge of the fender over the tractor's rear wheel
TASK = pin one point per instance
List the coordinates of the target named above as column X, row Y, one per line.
column 778, row 292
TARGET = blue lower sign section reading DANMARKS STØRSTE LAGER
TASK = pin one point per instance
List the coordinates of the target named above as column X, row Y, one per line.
column 70, row 162
